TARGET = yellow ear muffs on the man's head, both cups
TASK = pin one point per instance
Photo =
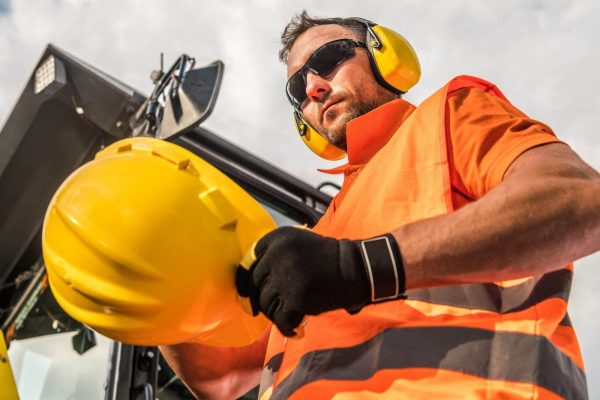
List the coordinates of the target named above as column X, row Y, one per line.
column 396, row 67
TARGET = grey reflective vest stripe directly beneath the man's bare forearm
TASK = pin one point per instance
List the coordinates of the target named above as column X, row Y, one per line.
column 490, row 297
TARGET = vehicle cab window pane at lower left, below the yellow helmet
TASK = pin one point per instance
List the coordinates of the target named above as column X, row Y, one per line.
column 44, row 359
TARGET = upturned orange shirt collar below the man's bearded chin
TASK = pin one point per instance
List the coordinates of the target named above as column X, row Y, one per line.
column 368, row 133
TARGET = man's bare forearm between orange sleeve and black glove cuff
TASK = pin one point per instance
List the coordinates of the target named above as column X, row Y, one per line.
column 542, row 216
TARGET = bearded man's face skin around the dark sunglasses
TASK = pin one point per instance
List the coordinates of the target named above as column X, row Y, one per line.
column 346, row 93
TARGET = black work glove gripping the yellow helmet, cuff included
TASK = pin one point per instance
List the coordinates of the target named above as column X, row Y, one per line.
column 298, row 272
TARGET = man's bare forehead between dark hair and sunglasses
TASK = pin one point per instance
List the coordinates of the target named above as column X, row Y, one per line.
column 311, row 40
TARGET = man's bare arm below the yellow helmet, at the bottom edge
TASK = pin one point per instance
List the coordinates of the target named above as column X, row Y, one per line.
column 217, row 372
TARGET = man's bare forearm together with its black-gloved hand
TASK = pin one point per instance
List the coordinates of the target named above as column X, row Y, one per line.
column 544, row 214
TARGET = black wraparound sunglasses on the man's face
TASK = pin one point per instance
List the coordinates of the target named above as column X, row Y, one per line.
column 322, row 62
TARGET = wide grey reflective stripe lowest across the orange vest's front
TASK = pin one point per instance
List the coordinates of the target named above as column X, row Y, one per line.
column 506, row 356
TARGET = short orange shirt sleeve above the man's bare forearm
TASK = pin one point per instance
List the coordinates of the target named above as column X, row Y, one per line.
column 485, row 135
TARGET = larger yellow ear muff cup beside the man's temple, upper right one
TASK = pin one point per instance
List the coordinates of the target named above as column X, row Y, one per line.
column 395, row 60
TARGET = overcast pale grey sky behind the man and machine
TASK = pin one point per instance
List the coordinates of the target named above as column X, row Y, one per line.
column 543, row 55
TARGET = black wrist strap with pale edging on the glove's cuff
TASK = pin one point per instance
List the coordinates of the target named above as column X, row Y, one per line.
column 383, row 263
